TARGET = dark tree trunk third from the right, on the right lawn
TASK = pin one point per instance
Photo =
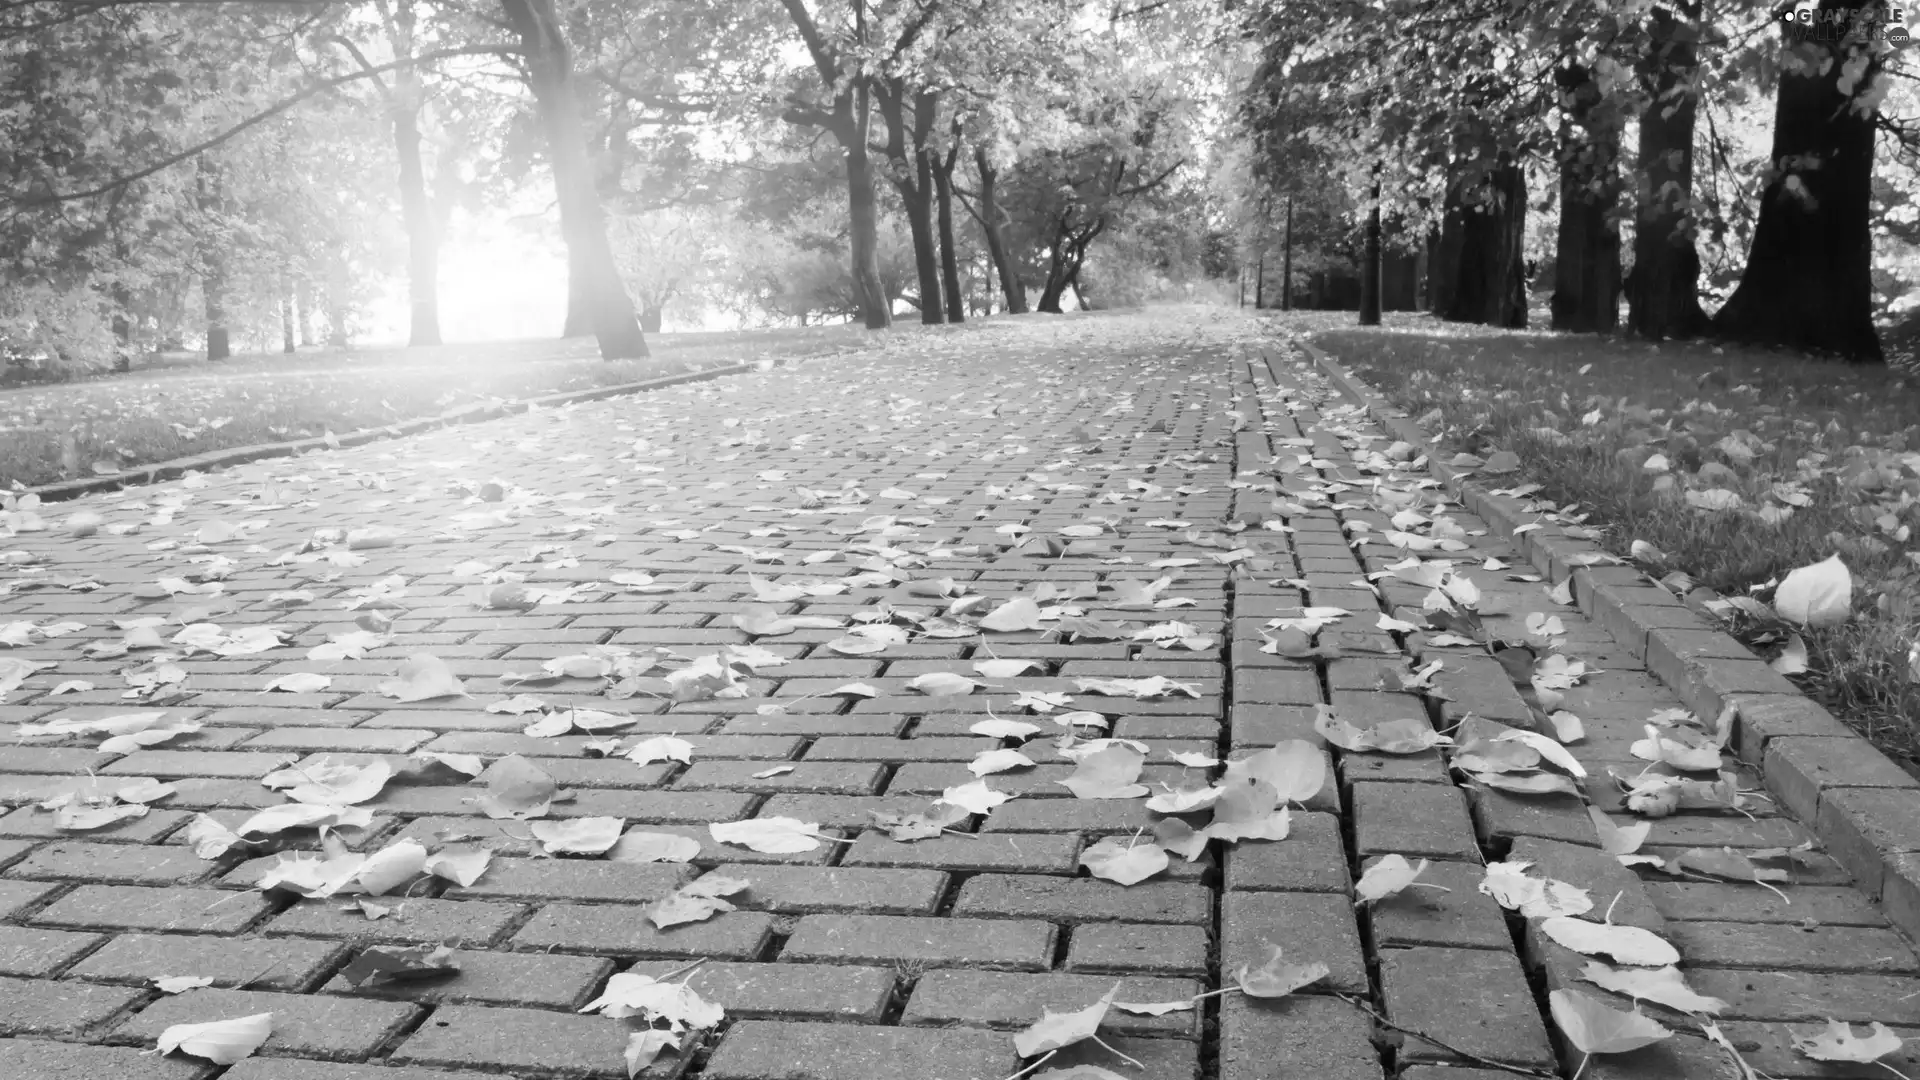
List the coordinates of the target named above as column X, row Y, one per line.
column 1587, row 255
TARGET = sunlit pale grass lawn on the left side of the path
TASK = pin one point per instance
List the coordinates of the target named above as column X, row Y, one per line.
column 181, row 406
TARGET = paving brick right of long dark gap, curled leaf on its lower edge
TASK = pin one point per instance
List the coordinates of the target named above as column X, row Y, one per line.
column 1305, row 925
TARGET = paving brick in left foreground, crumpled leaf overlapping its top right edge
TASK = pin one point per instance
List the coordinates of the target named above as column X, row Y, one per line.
column 621, row 931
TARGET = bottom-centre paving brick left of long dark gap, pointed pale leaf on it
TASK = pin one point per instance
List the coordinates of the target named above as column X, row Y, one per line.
column 1015, row 1000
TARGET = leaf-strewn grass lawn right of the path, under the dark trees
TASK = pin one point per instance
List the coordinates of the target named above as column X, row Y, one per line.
column 1735, row 464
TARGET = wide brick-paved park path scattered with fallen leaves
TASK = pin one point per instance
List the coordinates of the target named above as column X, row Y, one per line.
column 1122, row 472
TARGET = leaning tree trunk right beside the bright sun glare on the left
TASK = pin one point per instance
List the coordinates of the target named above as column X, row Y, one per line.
column 590, row 258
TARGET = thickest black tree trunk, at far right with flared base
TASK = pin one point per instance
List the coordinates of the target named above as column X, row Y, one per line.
column 1810, row 272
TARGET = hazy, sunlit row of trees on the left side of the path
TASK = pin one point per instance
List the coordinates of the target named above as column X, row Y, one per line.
column 796, row 157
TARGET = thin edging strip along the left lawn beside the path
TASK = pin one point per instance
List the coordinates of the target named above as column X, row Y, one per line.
column 258, row 453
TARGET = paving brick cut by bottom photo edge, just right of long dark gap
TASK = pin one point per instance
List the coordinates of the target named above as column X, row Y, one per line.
column 1295, row 1037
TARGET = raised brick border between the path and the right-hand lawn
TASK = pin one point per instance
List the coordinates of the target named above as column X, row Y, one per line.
column 1861, row 806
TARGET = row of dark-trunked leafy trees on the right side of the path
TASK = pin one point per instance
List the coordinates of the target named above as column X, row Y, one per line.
column 1437, row 116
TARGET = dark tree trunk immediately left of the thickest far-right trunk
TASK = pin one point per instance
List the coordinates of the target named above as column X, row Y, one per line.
column 1664, row 287
